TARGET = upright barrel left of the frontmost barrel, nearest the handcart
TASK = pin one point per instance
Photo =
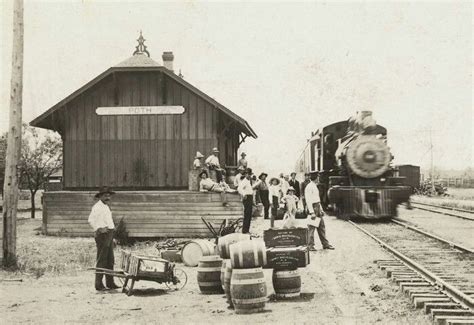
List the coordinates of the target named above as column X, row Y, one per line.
column 209, row 274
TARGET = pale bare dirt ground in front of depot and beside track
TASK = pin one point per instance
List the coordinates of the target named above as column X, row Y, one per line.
column 336, row 289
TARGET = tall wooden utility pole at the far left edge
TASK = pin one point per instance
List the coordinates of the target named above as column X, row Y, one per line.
column 10, row 186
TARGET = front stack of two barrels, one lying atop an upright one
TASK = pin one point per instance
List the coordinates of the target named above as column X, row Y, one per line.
column 248, row 290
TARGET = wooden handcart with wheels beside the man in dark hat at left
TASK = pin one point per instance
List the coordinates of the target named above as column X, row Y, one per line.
column 148, row 268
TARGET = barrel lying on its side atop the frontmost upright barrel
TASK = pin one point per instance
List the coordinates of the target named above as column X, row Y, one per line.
column 248, row 254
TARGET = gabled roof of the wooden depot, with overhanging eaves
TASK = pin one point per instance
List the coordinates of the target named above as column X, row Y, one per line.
column 141, row 62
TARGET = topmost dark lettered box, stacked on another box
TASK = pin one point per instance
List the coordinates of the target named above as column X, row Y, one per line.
column 290, row 237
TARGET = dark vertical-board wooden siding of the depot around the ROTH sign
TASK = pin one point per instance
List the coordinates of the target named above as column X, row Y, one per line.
column 141, row 151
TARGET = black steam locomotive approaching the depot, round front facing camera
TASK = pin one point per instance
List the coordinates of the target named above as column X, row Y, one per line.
column 356, row 178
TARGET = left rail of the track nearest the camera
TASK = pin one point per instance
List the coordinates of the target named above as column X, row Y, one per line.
column 454, row 292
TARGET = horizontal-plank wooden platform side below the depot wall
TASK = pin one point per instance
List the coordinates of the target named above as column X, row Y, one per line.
column 146, row 214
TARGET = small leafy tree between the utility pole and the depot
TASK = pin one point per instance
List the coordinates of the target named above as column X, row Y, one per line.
column 41, row 156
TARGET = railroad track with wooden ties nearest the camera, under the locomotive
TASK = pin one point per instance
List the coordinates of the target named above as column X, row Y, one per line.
column 435, row 273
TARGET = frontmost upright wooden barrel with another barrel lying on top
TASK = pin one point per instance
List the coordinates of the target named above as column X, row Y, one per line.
column 248, row 290
